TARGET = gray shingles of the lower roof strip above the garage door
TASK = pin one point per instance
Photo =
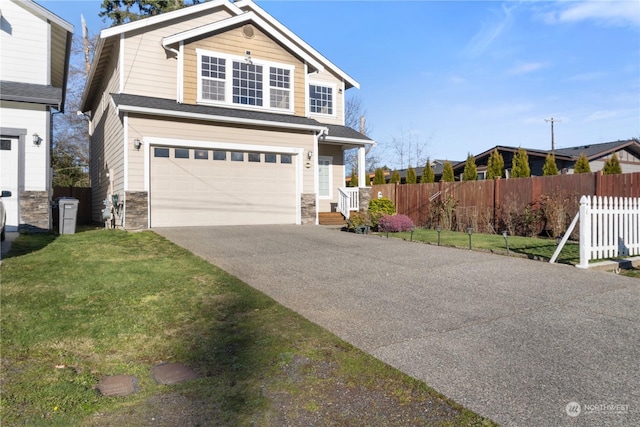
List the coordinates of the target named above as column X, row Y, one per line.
column 169, row 105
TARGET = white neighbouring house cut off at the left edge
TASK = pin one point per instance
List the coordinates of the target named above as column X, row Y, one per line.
column 34, row 62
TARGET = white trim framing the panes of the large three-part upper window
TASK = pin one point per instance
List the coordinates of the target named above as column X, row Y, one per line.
column 266, row 91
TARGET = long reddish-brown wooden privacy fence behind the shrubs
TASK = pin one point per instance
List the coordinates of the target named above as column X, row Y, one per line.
column 486, row 205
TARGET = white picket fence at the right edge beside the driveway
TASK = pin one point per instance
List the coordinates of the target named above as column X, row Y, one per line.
column 609, row 228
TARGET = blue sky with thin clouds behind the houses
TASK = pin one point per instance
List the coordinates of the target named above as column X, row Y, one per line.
column 463, row 76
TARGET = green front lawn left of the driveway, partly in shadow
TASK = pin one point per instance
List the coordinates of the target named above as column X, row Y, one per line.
column 77, row 308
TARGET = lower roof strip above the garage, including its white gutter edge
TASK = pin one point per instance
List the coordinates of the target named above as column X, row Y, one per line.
column 171, row 108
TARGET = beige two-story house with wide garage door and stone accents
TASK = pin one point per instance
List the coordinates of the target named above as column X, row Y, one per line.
column 215, row 114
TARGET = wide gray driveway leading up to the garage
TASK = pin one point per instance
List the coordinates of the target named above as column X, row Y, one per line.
column 521, row 342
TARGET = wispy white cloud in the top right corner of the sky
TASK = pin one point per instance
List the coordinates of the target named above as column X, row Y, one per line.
column 608, row 12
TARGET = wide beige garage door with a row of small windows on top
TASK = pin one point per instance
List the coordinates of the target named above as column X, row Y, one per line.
column 218, row 187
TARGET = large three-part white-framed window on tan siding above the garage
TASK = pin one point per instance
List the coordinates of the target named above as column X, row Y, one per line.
column 234, row 80
